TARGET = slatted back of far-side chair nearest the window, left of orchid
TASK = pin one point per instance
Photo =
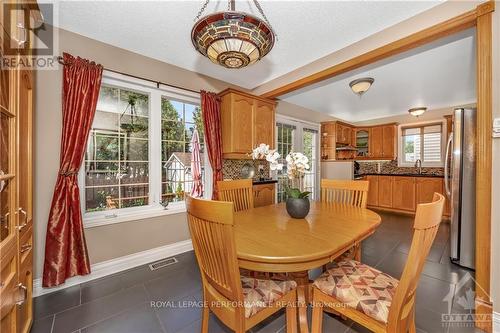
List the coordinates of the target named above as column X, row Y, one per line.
column 239, row 192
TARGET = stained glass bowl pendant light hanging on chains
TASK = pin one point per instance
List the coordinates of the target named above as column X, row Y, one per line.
column 233, row 39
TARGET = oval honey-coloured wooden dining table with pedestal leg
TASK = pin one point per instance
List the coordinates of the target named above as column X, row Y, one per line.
column 269, row 240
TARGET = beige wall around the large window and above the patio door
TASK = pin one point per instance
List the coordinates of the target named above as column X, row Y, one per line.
column 115, row 240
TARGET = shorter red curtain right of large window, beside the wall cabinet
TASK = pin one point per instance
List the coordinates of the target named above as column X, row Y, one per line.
column 210, row 108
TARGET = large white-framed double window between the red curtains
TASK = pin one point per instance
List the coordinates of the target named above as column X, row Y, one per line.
column 139, row 148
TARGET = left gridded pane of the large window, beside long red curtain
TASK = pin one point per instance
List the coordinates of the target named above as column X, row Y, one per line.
column 117, row 156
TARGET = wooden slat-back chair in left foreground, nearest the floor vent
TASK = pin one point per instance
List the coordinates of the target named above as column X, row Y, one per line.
column 239, row 302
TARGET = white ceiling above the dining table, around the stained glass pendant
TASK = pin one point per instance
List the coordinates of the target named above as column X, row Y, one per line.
column 307, row 30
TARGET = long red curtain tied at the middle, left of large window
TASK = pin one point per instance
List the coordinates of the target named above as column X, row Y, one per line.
column 65, row 248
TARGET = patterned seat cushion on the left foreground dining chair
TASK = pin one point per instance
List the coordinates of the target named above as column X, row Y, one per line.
column 260, row 294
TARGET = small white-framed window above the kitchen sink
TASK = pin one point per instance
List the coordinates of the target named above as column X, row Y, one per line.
column 422, row 142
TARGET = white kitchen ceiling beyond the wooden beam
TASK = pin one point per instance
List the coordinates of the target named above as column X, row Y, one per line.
column 438, row 75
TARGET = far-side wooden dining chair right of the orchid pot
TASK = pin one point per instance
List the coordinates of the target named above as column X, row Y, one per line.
column 349, row 192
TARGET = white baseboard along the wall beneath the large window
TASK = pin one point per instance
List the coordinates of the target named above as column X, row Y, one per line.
column 116, row 265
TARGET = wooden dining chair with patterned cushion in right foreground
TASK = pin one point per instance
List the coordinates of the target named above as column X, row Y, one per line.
column 374, row 299
